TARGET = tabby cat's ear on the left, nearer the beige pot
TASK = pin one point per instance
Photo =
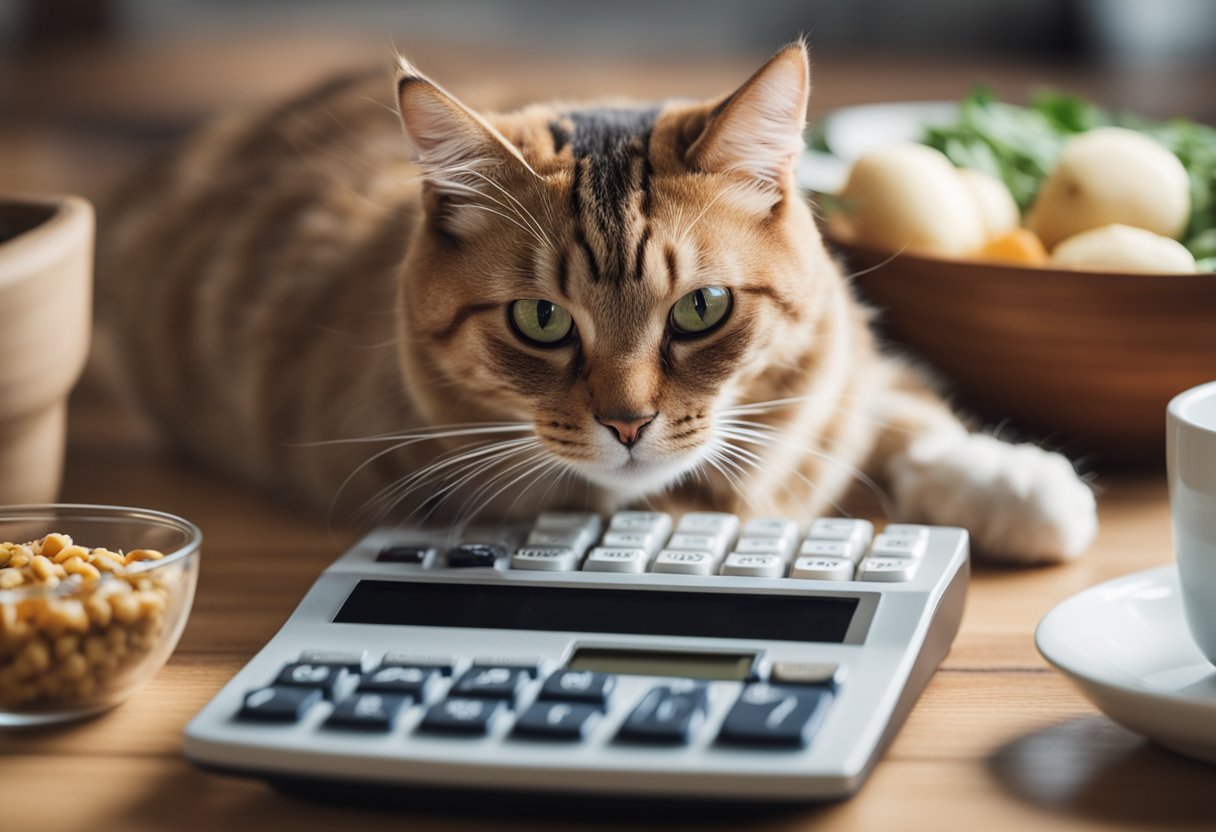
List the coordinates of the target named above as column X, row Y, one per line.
column 463, row 155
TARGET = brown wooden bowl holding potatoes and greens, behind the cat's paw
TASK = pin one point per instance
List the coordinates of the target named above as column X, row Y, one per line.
column 1085, row 361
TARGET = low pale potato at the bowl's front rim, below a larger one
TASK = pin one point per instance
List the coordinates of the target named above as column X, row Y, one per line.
column 1123, row 249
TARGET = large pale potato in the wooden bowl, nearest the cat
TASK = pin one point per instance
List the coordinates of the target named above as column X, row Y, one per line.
column 911, row 198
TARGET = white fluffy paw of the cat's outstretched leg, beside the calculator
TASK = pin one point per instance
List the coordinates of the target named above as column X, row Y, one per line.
column 1021, row 503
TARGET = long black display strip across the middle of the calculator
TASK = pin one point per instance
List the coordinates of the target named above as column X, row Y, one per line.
column 595, row 610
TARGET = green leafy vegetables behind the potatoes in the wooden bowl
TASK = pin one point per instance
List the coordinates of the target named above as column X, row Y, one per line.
column 1020, row 145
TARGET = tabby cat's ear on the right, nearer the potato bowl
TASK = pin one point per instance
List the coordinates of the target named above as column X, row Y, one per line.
column 758, row 130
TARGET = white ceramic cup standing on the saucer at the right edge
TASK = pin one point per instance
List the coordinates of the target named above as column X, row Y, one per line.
column 1191, row 463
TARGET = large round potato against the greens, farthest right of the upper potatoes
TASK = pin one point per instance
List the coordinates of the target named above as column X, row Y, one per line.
column 1112, row 176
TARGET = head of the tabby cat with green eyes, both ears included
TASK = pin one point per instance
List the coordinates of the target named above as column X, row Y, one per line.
column 613, row 276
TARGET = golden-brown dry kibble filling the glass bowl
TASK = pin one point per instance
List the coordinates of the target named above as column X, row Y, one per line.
column 69, row 648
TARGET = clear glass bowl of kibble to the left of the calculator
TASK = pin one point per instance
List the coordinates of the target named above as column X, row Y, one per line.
column 87, row 644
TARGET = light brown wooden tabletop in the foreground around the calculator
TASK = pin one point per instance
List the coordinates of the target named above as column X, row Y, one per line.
column 999, row 740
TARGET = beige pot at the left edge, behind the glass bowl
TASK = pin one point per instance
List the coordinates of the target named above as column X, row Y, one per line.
column 46, row 316
